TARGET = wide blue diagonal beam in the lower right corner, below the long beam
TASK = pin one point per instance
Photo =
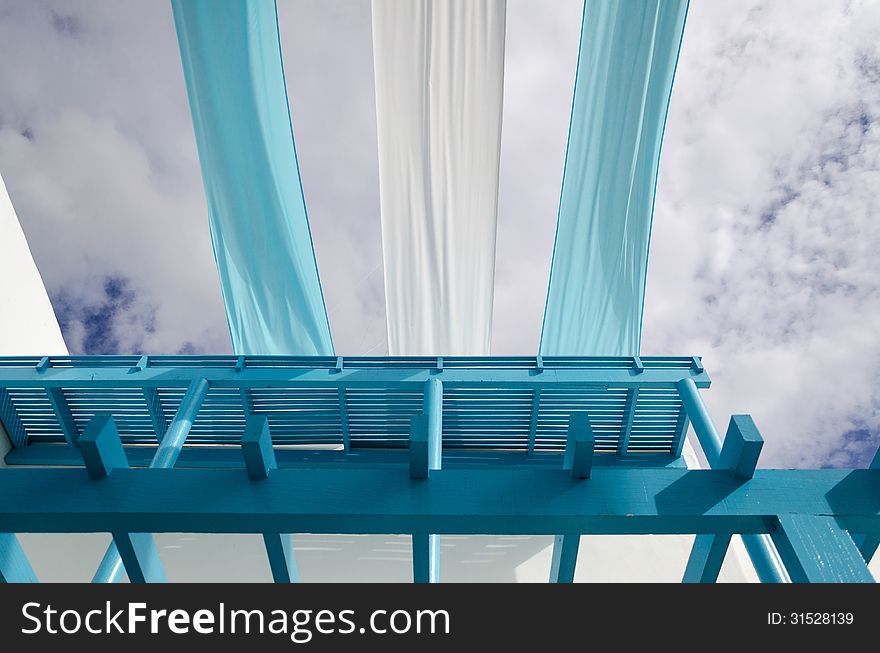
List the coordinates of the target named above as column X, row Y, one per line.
column 816, row 549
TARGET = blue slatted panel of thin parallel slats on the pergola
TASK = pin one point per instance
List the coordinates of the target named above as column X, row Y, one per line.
column 484, row 418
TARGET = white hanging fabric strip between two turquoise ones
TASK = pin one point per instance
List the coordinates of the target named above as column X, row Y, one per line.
column 439, row 69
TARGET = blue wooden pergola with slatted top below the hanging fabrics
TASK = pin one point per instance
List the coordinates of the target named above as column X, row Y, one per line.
column 564, row 446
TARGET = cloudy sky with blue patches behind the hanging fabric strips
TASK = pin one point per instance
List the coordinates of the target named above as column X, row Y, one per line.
column 763, row 258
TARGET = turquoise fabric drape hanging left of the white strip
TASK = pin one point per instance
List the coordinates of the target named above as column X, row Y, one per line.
column 259, row 228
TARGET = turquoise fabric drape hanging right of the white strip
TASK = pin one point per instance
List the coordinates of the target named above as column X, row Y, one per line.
column 627, row 60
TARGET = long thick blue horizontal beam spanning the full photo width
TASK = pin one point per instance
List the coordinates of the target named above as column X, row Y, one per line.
column 615, row 500
